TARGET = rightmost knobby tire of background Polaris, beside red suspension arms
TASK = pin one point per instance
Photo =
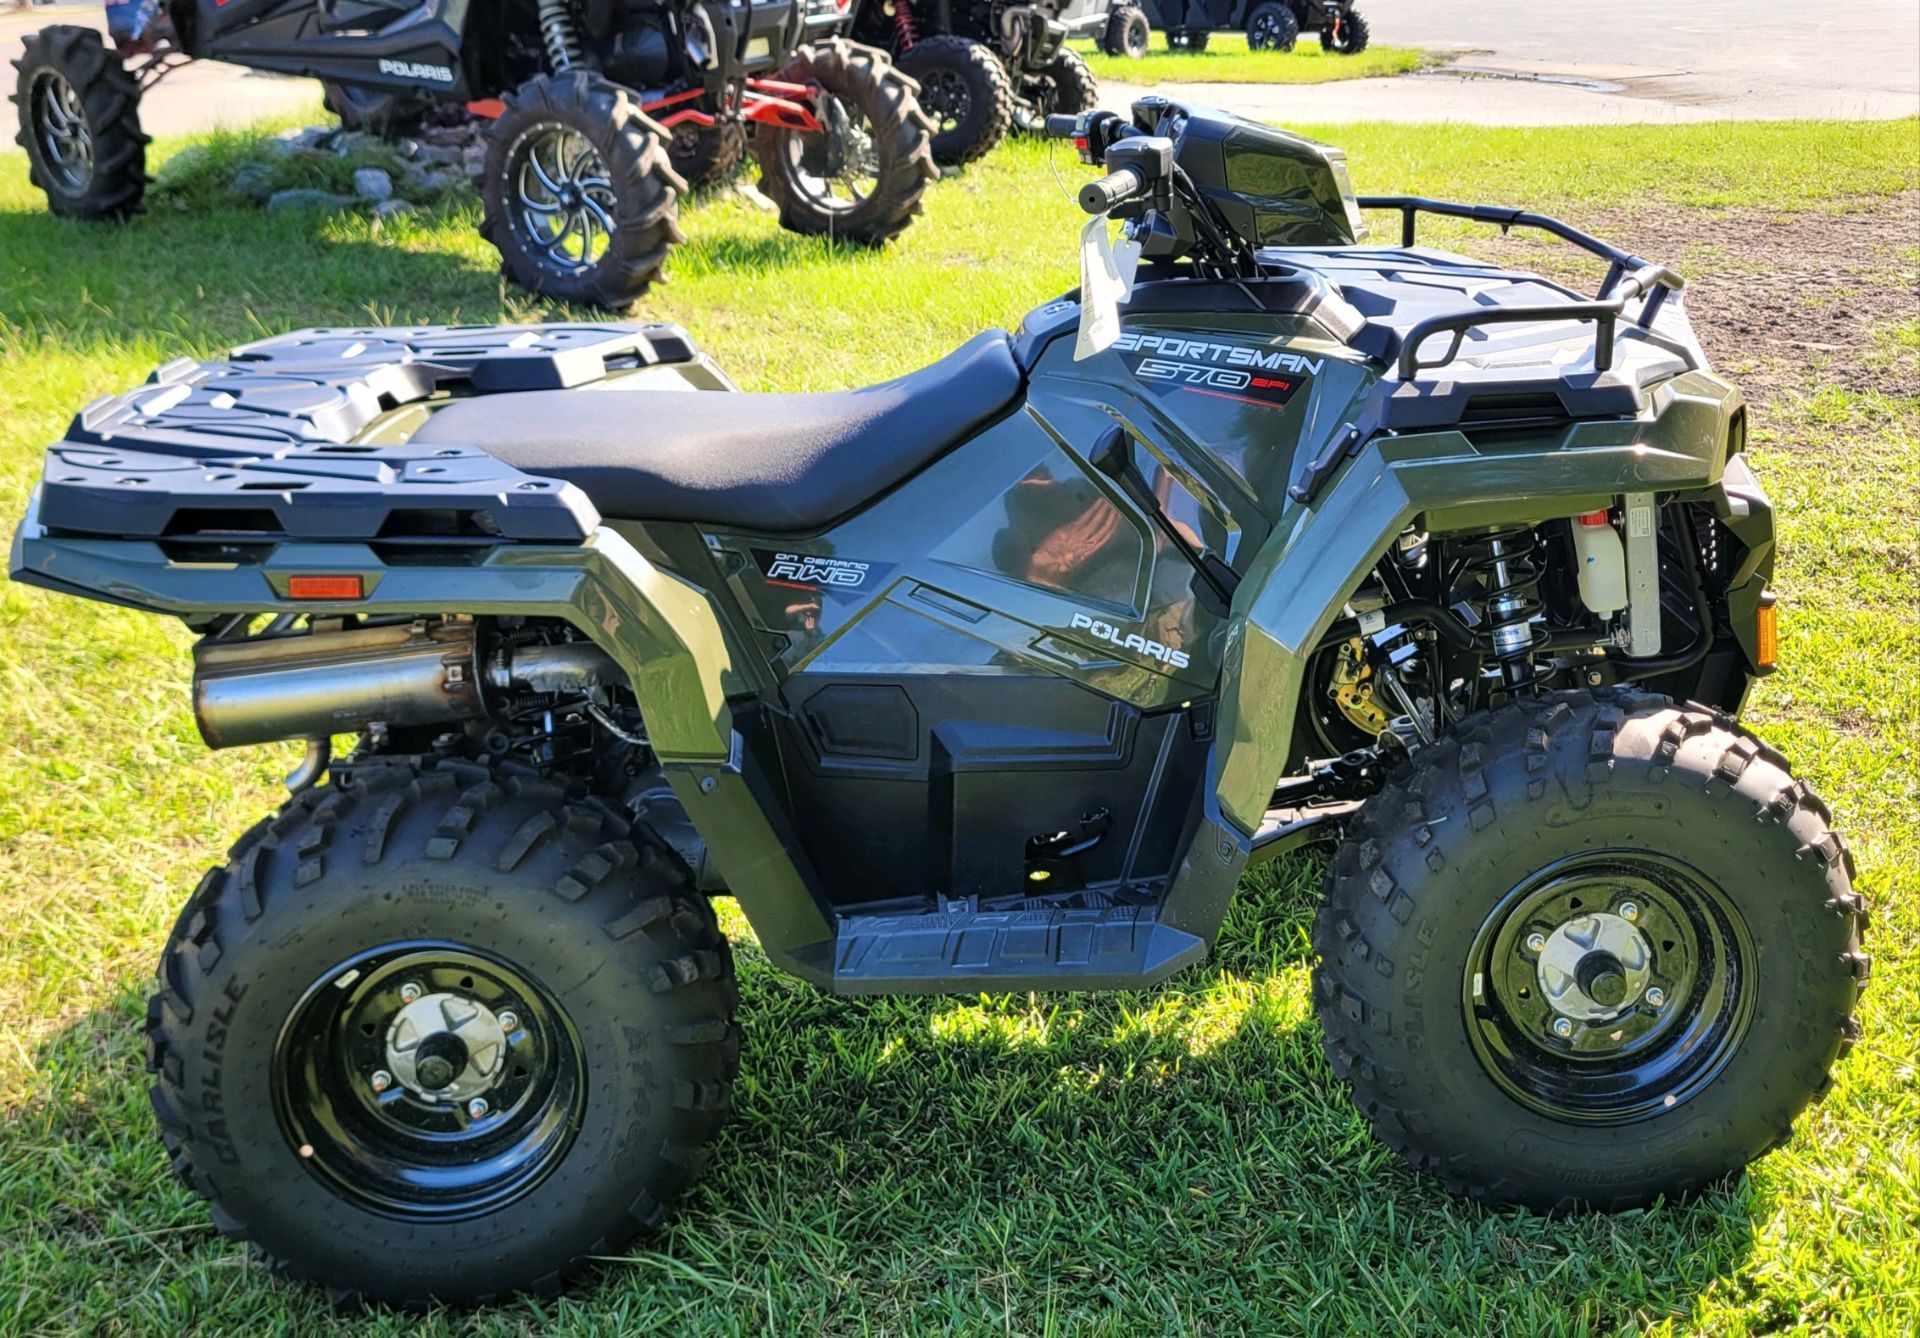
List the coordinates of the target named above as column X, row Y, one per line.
column 901, row 139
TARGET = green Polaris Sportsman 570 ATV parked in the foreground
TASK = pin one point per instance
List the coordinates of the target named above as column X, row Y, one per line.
column 996, row 677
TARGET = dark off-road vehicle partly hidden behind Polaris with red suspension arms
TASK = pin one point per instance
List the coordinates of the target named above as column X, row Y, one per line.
column 986, row 66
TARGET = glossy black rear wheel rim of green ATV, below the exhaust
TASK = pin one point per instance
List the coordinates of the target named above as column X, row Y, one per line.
column 425, row 1124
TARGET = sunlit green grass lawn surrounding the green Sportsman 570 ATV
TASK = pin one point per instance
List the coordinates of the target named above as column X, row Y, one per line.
column 1163, row 1162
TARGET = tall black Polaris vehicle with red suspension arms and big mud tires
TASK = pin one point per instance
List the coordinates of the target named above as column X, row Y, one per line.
column 604, row 114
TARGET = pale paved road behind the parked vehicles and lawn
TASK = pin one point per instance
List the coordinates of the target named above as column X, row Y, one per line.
column 1537, row 62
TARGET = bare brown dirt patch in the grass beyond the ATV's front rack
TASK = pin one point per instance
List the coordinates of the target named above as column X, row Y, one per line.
column 1783, row 302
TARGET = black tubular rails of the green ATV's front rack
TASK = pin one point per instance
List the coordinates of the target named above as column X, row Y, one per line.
column 1629, row 277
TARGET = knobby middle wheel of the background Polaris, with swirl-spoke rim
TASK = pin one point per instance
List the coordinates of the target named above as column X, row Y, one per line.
column 638, row 195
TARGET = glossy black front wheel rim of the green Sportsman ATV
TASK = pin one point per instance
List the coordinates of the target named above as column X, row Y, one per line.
column 1610, row 988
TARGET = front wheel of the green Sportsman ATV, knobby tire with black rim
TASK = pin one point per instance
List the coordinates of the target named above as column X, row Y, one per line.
column 1441, row 919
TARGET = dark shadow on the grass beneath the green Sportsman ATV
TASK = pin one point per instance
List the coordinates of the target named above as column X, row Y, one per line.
column 1141, row 1162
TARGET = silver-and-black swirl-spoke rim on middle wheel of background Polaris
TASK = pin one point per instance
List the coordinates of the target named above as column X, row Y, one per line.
column 562, row 199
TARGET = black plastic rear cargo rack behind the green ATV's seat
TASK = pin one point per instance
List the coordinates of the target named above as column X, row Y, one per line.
column 268, row 444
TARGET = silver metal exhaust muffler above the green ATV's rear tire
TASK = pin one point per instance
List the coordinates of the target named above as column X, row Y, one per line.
column 320, row 684
